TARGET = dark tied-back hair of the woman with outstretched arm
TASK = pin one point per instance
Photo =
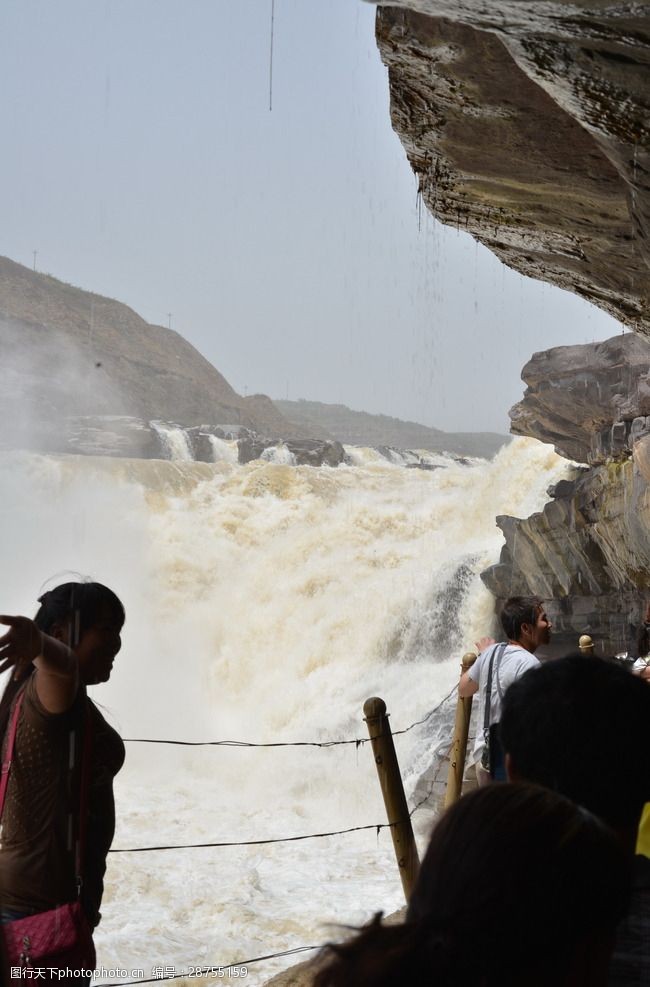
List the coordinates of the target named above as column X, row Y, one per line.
column 79, row 604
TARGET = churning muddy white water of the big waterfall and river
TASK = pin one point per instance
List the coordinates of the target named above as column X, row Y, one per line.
column 264, row 603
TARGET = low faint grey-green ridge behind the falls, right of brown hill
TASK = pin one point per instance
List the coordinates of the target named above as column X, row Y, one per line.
column 336, row 421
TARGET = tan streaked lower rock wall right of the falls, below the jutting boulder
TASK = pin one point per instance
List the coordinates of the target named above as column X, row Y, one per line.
column 587, row 554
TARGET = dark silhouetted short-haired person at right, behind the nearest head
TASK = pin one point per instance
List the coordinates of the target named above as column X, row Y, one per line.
column 580, row 726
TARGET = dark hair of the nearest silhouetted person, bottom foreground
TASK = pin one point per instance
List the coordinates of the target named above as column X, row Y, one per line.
column 514, row 879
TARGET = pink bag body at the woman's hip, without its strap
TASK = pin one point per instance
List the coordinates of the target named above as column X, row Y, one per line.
column 59, row 939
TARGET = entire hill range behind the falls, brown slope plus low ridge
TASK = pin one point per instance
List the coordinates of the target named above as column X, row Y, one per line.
column 71, row 354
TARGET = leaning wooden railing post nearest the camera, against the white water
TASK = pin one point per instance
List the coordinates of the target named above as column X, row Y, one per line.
column 390, row 780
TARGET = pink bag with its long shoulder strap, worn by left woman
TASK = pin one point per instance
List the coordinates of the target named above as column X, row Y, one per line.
column 59, row 939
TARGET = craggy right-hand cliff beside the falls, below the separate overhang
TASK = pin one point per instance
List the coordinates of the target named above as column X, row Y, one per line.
column 588, row 552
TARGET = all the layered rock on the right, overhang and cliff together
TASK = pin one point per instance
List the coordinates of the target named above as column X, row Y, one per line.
column 528, row 125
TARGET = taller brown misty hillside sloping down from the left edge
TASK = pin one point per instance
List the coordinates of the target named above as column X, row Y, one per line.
column 71, row 352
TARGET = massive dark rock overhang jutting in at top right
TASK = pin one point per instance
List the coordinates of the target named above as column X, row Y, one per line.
column 528, row 124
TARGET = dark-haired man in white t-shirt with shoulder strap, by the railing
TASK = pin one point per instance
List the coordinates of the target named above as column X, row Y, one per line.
column 527, row 628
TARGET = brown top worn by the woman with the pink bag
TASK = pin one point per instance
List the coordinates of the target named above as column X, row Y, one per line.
column 40, row 818
